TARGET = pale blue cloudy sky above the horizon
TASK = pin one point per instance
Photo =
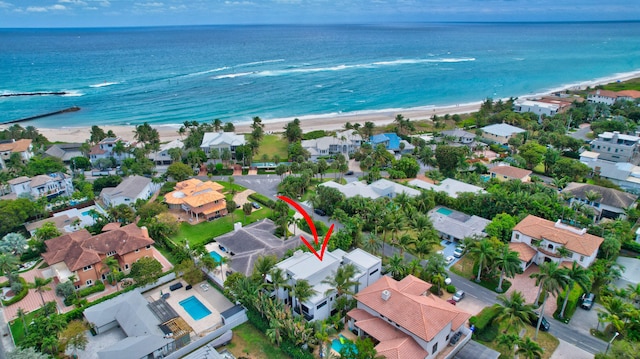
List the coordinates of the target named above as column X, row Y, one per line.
column 116, row 13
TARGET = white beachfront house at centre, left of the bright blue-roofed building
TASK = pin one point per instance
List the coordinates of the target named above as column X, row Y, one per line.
column 346, row 143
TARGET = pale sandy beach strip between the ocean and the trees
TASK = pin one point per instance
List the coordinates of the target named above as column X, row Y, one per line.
column 327, row 122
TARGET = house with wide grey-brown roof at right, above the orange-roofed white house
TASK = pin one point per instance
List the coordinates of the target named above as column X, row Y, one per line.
column 610, row 203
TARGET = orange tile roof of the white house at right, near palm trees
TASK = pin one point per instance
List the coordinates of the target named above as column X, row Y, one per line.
column 572, row 238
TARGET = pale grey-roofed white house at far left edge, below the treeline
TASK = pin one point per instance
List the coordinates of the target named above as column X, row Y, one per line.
column 49, row 186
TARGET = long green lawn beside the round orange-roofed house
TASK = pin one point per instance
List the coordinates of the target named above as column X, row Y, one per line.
column 204, row 232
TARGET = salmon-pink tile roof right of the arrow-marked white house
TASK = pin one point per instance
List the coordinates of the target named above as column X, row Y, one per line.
column 423, row 315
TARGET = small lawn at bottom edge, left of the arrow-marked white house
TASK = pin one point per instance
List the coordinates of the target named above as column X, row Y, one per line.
column 249, row 342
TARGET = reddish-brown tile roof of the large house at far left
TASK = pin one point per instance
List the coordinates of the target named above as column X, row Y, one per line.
column 80, row 249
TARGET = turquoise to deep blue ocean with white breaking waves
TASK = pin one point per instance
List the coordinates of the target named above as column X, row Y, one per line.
column 167, row 75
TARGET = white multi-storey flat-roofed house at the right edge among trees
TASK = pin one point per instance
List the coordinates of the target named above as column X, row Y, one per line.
column 616, row 147
